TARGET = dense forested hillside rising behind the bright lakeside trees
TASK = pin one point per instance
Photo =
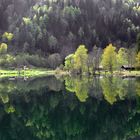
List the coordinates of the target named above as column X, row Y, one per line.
column 44, row 32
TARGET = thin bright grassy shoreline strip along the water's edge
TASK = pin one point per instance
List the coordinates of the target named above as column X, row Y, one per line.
column 45, row 72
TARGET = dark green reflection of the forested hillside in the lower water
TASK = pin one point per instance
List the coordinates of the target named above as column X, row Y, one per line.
column 61, row 117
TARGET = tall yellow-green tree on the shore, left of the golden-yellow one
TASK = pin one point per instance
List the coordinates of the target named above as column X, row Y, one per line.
column 80, row 59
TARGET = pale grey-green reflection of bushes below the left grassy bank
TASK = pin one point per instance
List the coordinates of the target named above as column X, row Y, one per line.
column 19, row 87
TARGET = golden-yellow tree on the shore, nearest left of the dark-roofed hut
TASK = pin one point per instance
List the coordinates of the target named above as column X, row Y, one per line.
column 109, row 58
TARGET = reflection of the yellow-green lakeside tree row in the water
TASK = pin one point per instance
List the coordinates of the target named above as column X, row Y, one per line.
column 111, row 89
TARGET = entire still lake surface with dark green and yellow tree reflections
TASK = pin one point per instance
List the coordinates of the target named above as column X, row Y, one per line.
column 70, row 109
